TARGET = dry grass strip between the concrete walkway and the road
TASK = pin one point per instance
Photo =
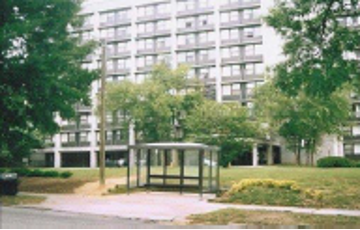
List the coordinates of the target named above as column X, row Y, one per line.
column 275, row 219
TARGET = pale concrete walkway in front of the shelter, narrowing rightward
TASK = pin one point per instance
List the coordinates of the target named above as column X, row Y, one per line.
column 160, row 206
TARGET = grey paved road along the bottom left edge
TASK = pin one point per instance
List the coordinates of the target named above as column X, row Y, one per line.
column 18, row 218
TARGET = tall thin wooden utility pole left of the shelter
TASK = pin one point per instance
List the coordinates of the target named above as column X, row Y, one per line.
column 103, row 115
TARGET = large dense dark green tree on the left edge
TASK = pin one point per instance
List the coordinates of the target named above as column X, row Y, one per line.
column 40, row 70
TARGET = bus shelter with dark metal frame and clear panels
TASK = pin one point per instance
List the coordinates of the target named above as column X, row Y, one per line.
column 183, row 166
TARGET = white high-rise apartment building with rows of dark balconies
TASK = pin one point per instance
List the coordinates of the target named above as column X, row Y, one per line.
column 225, row 42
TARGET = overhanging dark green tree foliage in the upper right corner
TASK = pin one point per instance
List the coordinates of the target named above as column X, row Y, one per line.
column 317, row 46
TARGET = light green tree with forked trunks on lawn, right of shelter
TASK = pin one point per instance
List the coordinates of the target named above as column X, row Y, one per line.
column 301, row 120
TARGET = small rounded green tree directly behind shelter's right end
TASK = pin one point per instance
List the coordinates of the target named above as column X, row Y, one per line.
column 224, row 125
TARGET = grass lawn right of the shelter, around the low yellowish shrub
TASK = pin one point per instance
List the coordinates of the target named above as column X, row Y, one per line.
column 341, row 187
